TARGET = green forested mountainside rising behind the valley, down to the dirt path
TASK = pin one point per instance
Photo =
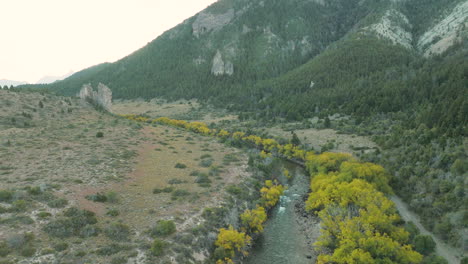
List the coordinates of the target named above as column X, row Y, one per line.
column 397, row 68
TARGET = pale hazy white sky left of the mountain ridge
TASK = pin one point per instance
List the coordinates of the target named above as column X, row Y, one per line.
column 53, row 37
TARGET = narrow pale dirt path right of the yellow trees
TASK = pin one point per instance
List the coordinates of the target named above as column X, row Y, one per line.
column 449, row 253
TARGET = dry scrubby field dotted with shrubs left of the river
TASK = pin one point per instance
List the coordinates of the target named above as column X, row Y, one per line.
column 58, row 153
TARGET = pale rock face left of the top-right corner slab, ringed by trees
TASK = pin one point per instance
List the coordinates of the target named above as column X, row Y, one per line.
column 392, row 27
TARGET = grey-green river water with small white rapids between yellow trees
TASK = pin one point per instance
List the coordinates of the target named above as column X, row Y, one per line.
column 282, row 242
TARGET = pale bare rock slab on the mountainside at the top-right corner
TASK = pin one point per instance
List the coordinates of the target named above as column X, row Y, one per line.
column 446, row 33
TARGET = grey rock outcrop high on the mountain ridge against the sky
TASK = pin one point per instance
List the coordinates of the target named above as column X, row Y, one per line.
column 206, row 22
